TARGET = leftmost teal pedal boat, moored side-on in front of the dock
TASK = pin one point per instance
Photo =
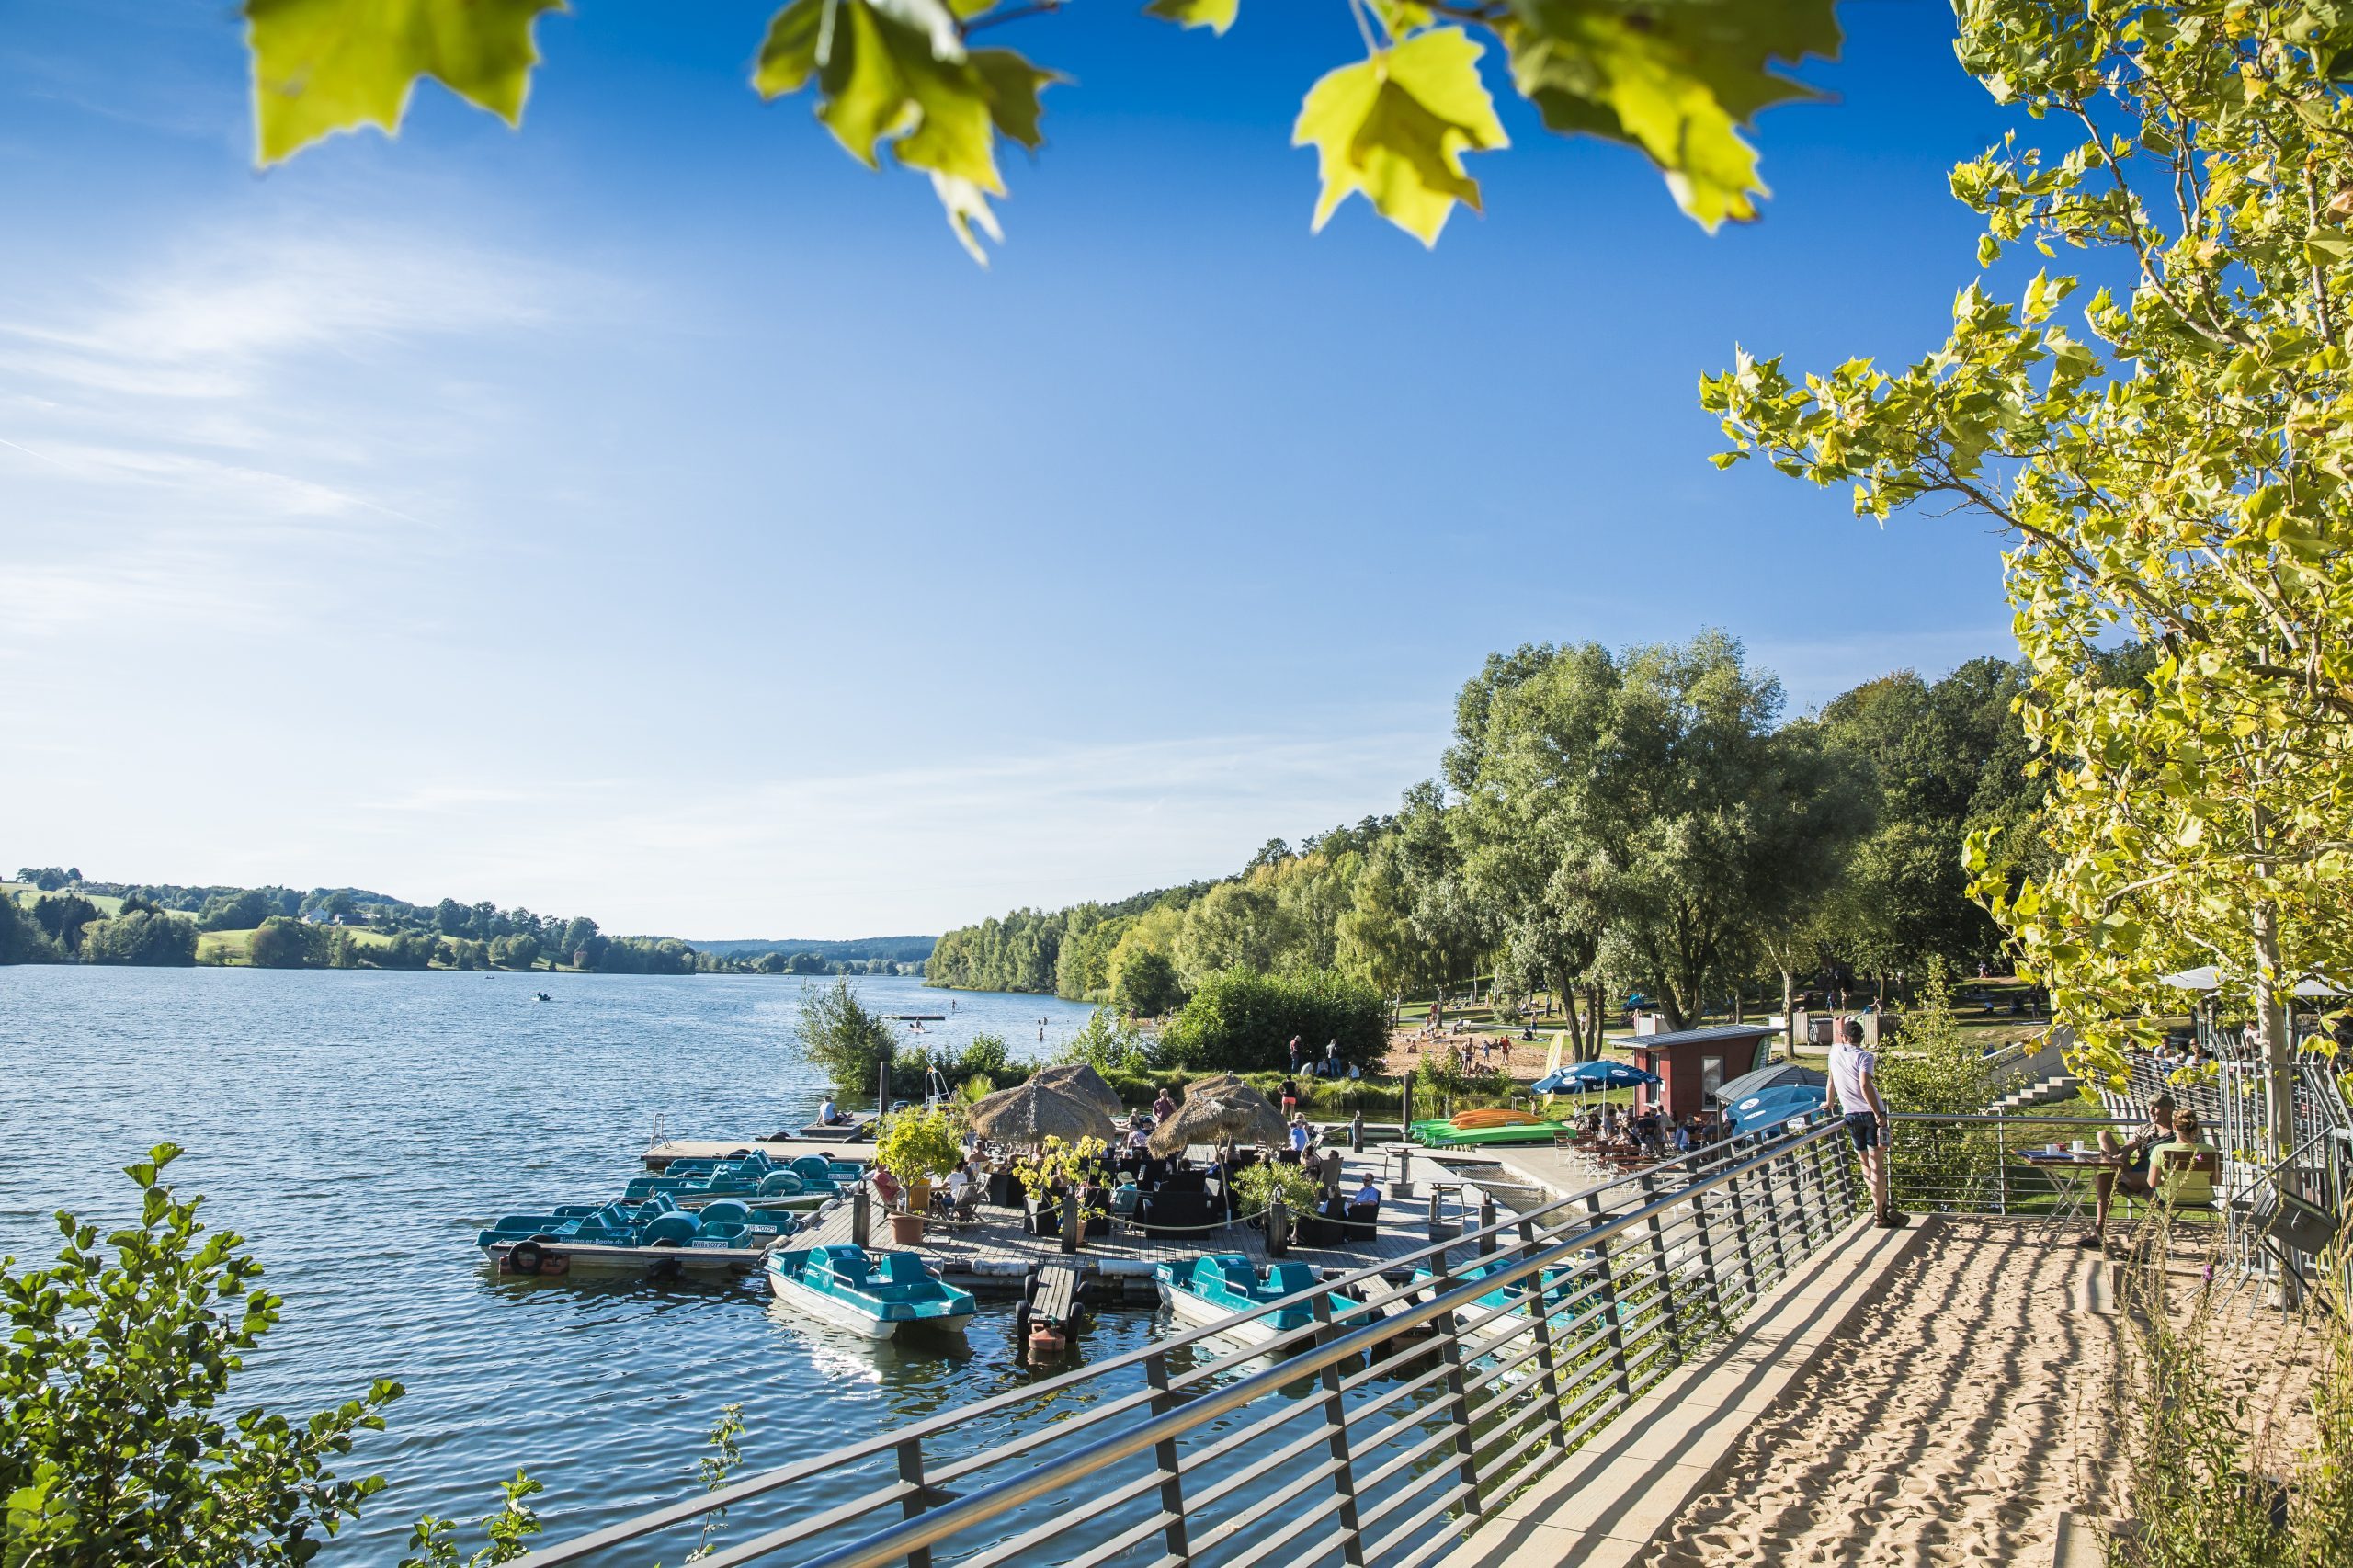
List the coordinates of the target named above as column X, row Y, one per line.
column 658, row 1237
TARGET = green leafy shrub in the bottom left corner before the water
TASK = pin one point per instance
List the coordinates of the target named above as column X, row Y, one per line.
column 116, row 1435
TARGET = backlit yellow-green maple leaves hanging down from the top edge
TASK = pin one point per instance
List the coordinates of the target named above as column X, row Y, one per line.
column 1674, row 79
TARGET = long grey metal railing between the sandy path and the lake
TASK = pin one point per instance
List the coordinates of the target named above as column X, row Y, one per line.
column 1568, row 1235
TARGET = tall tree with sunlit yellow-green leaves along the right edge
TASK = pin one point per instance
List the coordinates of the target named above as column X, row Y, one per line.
column 2173, row 474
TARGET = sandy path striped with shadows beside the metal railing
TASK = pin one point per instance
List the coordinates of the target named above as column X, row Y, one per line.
column 1957, row 1433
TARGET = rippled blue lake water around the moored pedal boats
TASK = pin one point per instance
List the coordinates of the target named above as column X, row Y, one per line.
column 359, row 1127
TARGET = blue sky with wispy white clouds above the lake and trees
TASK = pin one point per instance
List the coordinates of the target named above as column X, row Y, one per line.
column 653, row 514
